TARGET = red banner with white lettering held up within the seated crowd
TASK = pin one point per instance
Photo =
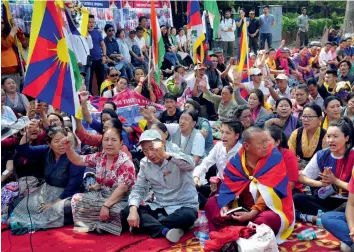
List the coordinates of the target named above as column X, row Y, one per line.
column 124, row 99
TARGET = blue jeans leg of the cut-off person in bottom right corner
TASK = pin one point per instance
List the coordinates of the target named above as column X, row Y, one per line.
column 336, row 224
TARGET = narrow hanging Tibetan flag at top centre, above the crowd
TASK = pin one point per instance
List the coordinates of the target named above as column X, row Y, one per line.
column 195, row 27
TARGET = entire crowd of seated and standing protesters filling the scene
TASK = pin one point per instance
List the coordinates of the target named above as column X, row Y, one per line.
column 225, row 139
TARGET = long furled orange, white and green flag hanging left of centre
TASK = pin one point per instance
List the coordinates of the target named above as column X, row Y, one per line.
column 158, row 46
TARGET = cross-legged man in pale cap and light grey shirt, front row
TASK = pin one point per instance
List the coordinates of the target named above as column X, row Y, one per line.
column 174, row 206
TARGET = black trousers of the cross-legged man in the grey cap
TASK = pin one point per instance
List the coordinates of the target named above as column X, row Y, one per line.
column 152, row 222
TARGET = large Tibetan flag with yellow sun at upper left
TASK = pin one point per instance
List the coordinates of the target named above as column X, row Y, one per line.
column 53, row 75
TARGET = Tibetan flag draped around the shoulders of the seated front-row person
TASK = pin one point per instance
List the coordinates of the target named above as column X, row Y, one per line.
column 269, row 179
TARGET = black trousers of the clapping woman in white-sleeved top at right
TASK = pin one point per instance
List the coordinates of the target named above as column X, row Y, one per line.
column 309, row 204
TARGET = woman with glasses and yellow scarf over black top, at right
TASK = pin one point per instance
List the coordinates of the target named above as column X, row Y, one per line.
column 308, row 139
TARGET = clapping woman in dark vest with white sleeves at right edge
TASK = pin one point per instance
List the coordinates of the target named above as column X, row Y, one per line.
column 328, row 173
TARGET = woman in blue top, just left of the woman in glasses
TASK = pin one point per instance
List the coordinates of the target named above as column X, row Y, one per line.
column 283, row 118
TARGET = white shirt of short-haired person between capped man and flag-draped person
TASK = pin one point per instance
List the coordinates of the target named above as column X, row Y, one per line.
column 217, row 156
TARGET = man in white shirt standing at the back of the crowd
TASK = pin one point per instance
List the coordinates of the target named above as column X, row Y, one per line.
column 228, row 27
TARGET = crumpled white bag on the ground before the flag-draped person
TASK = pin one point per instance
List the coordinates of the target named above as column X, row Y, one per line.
column 262, row 241
